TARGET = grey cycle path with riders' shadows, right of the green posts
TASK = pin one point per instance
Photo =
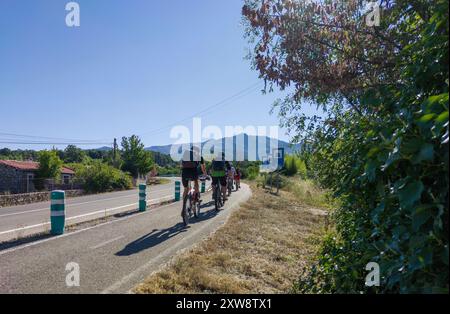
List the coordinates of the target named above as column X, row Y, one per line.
column 114, row 256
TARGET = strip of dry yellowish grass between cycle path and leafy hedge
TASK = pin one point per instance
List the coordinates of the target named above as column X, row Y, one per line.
column 261, row 249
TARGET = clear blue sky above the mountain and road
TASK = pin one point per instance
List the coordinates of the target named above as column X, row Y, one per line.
column 132, row 67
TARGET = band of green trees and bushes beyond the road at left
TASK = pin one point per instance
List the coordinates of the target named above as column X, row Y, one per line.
column 96, row 171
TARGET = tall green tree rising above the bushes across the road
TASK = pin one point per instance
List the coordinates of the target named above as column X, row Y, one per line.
column 135, row 159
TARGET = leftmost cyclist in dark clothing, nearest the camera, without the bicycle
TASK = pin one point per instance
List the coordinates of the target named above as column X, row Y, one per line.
column 192, row 161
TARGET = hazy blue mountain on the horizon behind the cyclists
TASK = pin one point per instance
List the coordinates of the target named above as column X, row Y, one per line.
column 247, row 141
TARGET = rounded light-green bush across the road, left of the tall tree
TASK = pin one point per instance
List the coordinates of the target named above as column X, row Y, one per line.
column 97, row 176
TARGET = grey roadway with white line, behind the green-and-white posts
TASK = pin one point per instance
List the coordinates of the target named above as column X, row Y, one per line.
column 18, row 221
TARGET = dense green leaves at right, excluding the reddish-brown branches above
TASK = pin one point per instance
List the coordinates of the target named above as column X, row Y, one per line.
column 391, row 173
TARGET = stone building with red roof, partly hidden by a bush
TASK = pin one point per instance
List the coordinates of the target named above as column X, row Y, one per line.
column 18, row 176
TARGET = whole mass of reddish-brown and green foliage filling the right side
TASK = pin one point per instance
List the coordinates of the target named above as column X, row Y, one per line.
column 381, row 147
